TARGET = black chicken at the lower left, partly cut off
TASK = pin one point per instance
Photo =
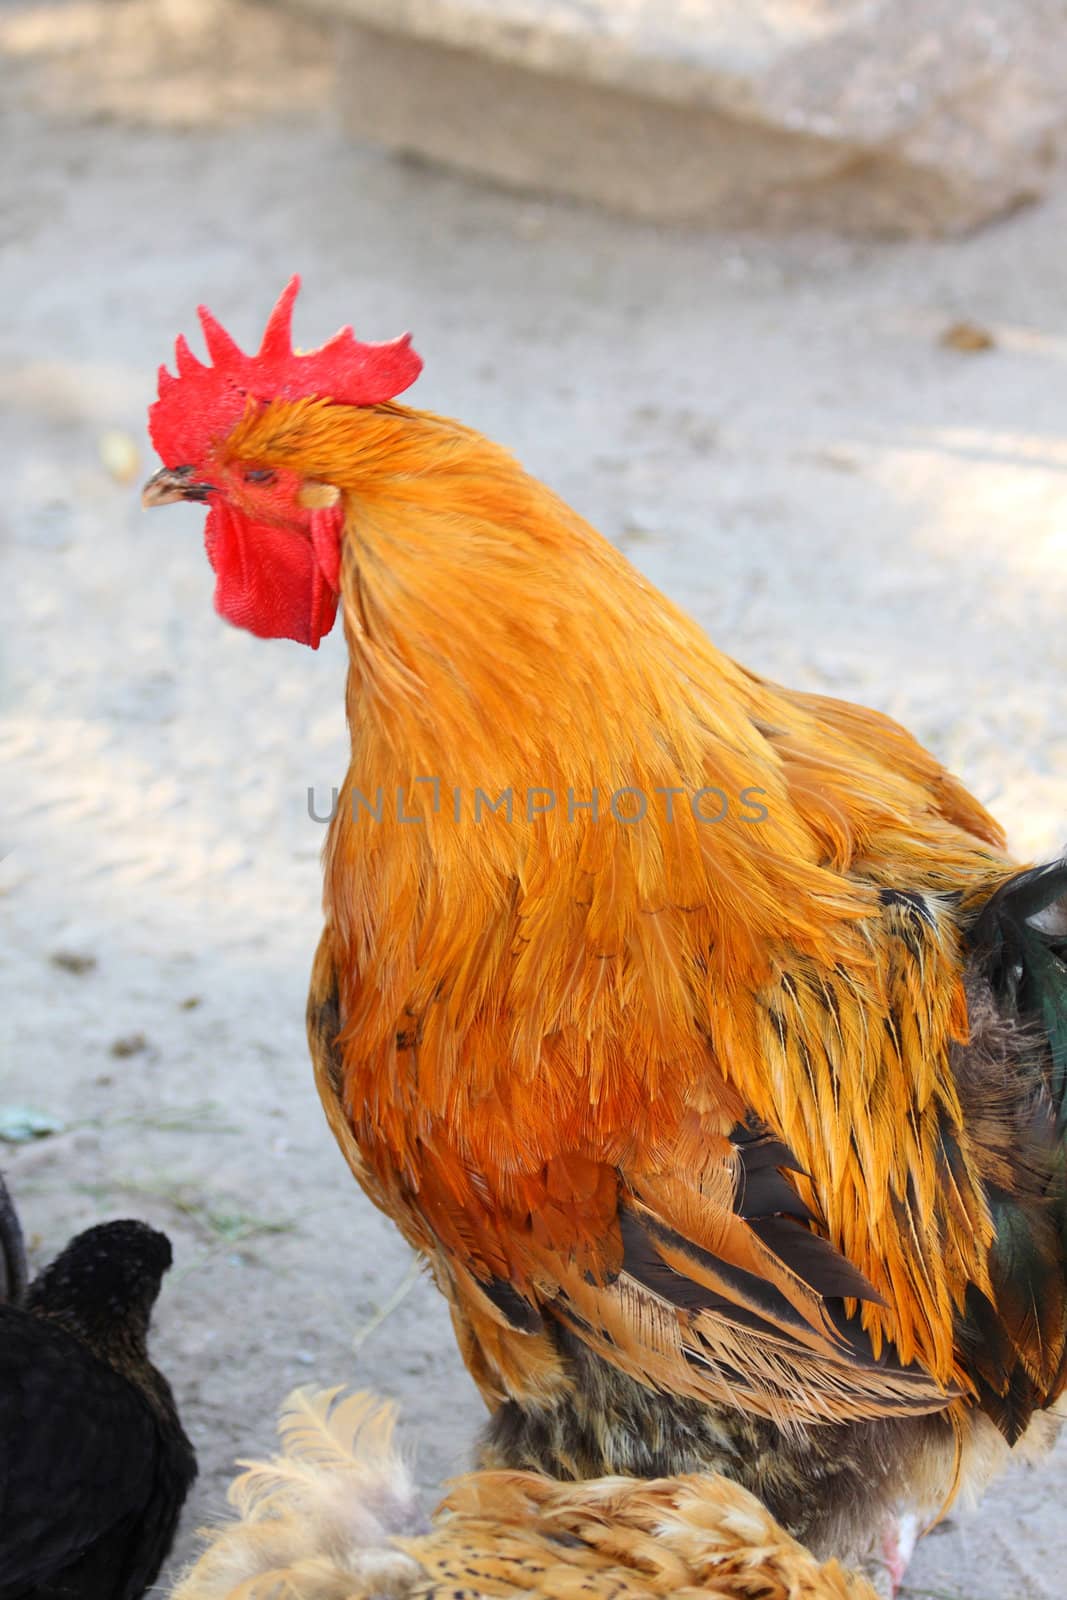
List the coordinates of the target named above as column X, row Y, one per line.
column 95, row 1465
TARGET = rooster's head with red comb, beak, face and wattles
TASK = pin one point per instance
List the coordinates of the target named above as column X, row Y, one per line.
column 254, row 439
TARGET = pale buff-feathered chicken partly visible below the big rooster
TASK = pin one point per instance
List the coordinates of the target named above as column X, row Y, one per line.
column 330, row 1519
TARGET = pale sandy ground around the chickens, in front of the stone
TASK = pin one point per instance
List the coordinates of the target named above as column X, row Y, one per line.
column 770, row 430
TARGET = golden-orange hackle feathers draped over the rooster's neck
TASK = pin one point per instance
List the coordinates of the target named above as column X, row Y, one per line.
column 500, row 644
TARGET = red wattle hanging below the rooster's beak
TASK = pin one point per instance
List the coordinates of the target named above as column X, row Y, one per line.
column 270, row 580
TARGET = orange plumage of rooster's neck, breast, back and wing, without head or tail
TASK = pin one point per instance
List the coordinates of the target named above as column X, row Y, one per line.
column 543, row 1017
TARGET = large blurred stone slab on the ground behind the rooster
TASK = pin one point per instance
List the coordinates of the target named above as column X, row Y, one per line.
column 887, row 116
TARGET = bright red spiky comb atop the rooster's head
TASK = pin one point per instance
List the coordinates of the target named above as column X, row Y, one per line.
column 204, row 402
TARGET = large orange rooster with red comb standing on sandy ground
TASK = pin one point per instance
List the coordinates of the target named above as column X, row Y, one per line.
column 700, row 1033
